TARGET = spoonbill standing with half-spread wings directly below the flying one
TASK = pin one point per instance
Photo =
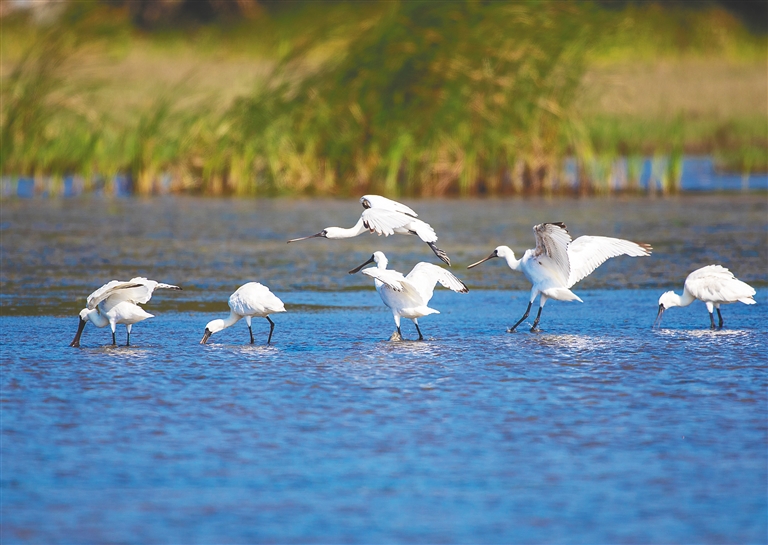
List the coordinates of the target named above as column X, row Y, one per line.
column 408, row 296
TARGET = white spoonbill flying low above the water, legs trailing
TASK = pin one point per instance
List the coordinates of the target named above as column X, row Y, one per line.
column 385, row 217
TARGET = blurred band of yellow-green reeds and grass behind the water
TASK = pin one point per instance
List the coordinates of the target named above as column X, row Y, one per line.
column 420, row 98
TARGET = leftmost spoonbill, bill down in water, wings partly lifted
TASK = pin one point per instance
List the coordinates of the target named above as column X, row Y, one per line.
column 117, row 302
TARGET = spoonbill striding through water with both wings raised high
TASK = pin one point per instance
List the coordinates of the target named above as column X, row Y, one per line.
column 557, row 263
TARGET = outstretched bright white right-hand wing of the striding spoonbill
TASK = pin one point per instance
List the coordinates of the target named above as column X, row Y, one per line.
column 587, row 253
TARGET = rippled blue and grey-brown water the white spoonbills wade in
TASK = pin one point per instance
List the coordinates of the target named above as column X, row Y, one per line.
column 597, row 429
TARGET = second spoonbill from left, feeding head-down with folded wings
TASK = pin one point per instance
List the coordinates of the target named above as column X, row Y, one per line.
column 251, row 299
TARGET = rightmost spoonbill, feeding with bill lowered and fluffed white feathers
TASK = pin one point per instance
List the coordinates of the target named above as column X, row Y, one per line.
column 713, row 284
